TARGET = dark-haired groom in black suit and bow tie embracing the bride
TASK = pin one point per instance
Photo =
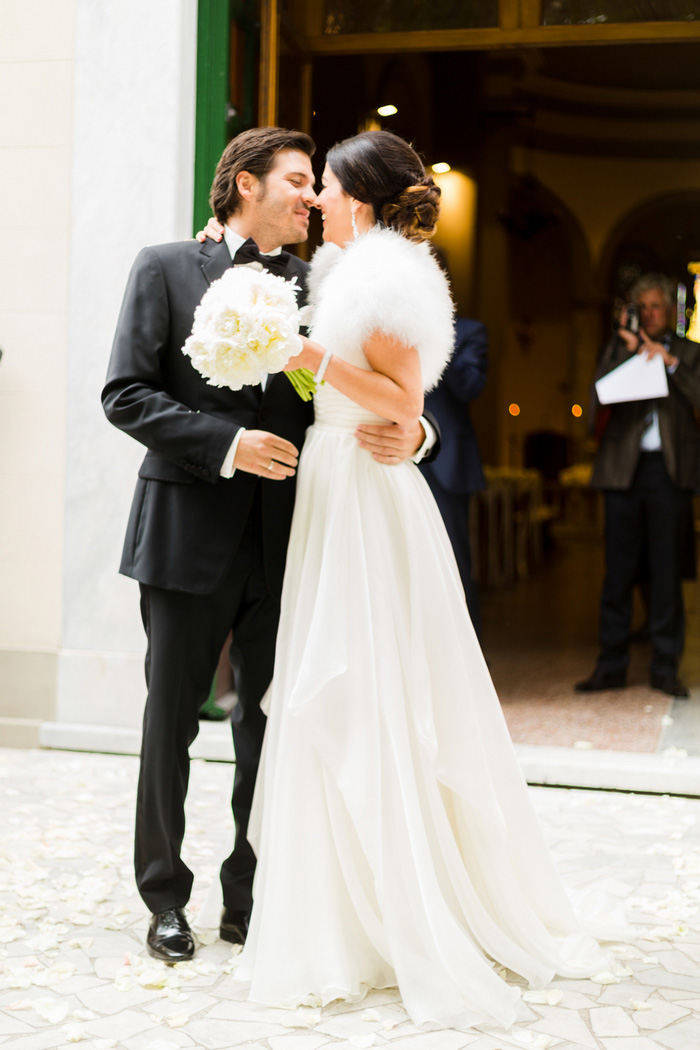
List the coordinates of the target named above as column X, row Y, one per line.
column 210, row 520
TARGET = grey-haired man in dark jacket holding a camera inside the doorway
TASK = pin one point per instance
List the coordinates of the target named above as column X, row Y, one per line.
column 648, row 466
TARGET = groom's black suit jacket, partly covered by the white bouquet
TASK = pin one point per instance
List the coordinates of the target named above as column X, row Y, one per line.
column 186, row 521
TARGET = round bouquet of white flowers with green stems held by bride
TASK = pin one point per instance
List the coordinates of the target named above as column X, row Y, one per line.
column 247, row 326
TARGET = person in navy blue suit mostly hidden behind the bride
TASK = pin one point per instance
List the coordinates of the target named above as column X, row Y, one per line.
column 457, row 472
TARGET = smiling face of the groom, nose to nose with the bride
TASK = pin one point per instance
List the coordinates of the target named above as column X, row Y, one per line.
column 281, row 203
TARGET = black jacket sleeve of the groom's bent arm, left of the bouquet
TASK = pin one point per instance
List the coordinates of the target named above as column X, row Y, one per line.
column 142, row 372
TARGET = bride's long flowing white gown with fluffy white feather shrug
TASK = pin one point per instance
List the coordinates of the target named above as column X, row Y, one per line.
column 396, row 841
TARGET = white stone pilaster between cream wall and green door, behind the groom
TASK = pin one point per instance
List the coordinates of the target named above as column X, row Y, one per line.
column 133, row 185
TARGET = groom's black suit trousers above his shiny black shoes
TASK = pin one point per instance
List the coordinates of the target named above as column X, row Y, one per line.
column 186, row 634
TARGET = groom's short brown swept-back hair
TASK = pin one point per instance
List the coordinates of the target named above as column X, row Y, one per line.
column 254, row 152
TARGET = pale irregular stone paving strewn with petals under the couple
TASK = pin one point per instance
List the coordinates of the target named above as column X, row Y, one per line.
column 73, row 969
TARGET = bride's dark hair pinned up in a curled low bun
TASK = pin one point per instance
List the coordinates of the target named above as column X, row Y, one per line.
column 380, row 170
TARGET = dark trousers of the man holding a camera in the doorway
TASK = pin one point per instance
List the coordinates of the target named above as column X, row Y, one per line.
column 651, row 516
